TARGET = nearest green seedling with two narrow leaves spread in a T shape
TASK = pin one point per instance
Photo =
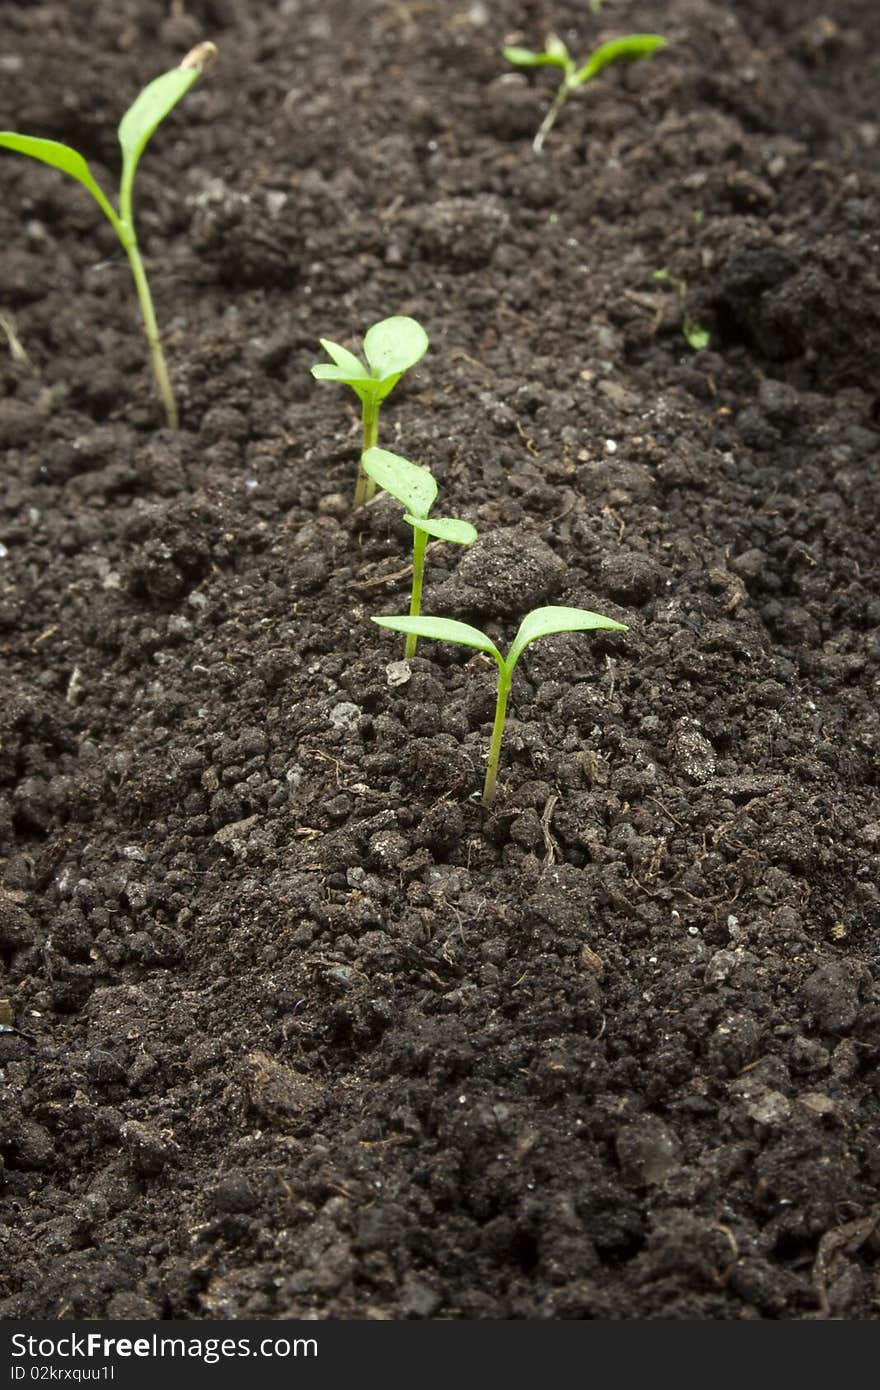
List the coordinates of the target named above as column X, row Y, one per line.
column 539, row 623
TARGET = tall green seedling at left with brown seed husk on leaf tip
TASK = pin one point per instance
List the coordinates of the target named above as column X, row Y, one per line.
column 149, row 109
